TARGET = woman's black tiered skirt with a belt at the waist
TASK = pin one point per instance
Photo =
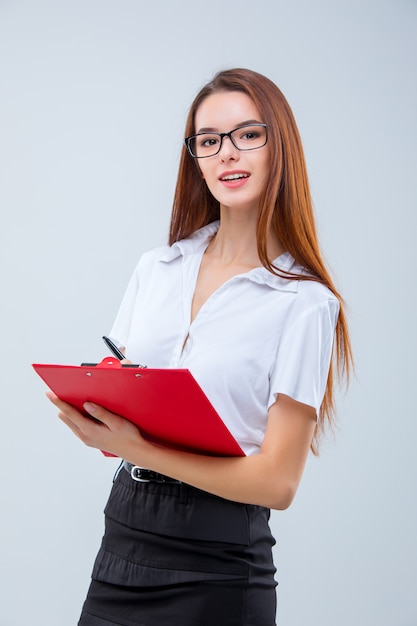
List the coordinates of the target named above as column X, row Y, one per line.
column 174, row 555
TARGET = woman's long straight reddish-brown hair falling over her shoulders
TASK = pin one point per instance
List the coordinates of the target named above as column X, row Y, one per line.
column 285, row 206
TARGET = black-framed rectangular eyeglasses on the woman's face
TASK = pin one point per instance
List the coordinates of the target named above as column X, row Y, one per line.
column 248, row 137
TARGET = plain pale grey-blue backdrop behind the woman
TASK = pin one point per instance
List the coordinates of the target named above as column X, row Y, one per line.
column 93, row 100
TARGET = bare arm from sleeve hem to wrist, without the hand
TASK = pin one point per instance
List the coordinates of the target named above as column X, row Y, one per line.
column 269, row 478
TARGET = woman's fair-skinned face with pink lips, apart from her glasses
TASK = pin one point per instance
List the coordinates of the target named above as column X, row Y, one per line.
column 236, row 178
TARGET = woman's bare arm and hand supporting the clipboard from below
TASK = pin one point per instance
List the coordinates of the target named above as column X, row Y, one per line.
column 269, row 478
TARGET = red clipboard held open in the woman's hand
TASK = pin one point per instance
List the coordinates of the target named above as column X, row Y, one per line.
column 168, row 405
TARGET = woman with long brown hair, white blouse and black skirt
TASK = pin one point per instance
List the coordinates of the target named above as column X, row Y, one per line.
column 241, row 298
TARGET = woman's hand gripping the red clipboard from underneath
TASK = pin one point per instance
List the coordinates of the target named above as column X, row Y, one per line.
column 107, row 431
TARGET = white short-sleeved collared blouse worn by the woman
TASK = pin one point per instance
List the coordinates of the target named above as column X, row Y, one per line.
column 257, row 336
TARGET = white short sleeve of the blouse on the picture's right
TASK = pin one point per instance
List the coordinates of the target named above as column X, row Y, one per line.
column 304, row 354
